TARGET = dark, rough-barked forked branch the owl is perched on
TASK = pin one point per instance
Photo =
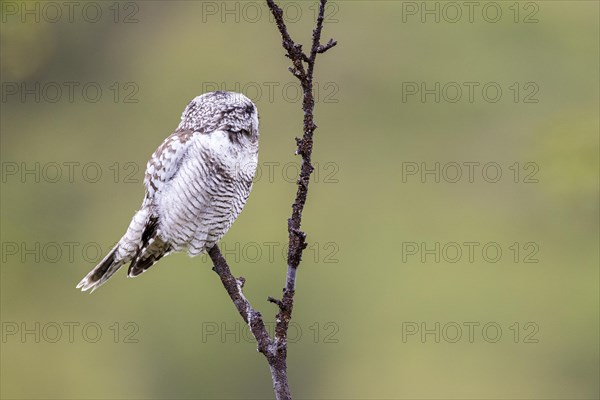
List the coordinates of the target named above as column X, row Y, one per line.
column 275, row 349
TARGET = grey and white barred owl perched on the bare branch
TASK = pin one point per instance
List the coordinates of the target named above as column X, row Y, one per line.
column 197, row 182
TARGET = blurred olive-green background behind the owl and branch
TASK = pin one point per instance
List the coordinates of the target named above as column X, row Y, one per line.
column 368, row 288
